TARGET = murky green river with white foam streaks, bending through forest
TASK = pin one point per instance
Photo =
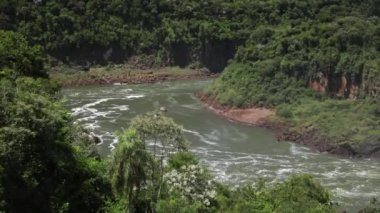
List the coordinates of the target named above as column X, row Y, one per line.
column 235, row 154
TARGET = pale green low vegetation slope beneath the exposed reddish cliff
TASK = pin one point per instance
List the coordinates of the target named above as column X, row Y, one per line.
column 345, row 121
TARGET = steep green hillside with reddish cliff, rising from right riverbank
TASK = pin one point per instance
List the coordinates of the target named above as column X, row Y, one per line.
column 305, row 66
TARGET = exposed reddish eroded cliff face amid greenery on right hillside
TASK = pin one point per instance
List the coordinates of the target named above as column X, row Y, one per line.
column 348, row 86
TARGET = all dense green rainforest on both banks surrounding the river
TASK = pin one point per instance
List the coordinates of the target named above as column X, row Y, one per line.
column 315, row 62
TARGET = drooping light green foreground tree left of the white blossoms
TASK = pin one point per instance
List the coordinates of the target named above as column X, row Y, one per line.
column 135, row 166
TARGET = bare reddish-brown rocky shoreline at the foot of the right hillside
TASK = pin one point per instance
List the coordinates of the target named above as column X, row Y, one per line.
column 266, row 118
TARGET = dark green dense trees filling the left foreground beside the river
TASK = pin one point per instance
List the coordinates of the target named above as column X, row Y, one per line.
column 42, row 166
